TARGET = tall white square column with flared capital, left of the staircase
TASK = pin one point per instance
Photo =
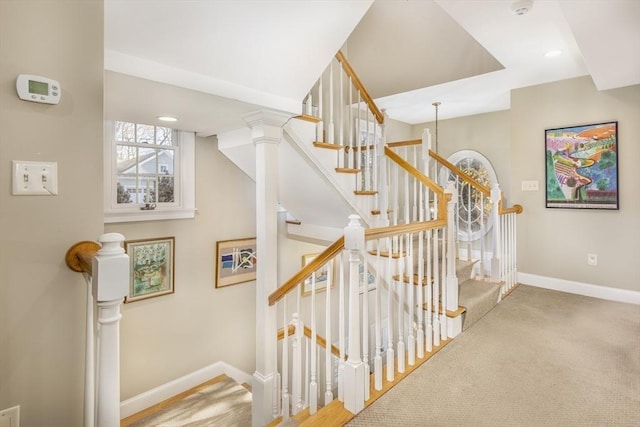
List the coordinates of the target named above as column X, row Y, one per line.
column 266, row 131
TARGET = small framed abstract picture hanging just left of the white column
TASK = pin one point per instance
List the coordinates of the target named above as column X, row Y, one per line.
column 236, row 261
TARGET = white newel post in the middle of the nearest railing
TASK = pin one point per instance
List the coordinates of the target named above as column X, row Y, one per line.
column 354, row 372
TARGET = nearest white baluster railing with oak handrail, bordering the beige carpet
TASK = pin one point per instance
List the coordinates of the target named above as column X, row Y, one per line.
column 386, row 295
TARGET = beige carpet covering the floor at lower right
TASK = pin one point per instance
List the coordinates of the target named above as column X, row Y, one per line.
column 540, row 358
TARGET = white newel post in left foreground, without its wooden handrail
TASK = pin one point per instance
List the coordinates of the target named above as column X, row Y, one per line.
column 110, row 280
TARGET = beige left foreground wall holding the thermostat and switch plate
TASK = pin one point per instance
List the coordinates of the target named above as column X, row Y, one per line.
column 42, row 304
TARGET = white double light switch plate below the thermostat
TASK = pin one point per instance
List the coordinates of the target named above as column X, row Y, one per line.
column 34, row 178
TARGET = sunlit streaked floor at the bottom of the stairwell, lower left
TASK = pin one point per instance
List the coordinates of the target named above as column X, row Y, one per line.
column 225, row 403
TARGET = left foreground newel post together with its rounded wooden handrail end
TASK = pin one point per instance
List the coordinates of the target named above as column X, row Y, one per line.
column 105, row 268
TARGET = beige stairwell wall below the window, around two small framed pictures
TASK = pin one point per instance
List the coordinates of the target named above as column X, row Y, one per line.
column 170, row 336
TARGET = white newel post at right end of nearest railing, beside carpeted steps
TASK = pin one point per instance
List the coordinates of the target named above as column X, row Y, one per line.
column 455, row 324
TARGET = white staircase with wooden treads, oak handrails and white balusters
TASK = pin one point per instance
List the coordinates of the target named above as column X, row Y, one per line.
column 393, row 286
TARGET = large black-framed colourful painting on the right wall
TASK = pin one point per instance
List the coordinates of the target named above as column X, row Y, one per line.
column 581, row 166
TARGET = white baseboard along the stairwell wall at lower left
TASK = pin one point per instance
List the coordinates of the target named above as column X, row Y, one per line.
column 165, row 391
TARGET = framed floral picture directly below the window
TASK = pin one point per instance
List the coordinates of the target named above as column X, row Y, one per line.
column 151, row 263
